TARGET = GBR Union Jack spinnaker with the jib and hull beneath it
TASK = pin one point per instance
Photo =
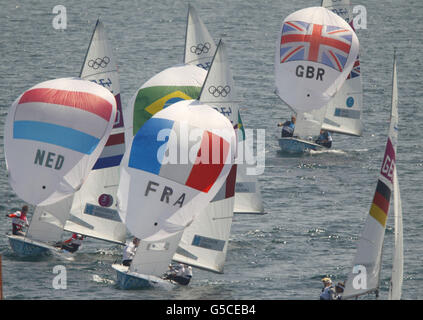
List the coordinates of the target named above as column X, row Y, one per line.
column 315, row 55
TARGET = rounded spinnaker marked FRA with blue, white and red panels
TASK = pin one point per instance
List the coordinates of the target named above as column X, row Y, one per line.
column 171, row 163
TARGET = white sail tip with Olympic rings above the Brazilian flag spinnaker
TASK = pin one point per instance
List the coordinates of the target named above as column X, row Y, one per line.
column 199, row 45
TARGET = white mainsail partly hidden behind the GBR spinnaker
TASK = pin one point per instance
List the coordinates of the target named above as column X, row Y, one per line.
column 343, row 112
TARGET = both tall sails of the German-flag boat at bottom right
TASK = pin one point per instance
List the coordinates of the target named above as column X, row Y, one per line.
column 365, row 275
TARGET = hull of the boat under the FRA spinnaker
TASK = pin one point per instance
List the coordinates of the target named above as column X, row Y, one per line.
column 127, row 280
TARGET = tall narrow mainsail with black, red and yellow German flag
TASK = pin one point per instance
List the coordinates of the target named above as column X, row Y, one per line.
column 368, row 257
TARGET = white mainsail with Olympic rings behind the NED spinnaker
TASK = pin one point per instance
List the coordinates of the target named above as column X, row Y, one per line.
column 94, row 210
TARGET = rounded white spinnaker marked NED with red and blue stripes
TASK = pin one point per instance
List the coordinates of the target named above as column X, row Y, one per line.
column 54, row 134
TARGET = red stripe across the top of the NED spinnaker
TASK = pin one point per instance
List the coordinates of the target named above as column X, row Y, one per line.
column 75, row 99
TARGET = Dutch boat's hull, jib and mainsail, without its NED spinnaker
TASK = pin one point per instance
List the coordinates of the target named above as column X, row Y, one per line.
column 92, row 207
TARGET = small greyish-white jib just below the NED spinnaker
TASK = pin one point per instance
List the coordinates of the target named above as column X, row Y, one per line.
column 47, row 222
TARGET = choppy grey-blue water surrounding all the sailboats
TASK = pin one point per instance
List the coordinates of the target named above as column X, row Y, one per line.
column 316, row 204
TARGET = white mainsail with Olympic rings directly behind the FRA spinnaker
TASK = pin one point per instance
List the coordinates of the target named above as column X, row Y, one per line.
column 204, row 243
